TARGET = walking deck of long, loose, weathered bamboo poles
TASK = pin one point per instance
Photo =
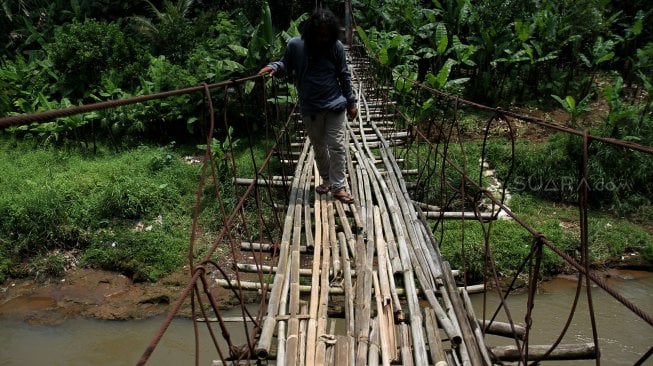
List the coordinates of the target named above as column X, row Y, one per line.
column 364, row 283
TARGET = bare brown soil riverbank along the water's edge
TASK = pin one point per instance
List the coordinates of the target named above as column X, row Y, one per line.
column 108, row 295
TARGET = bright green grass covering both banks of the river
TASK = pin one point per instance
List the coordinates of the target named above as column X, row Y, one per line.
column 55, row 200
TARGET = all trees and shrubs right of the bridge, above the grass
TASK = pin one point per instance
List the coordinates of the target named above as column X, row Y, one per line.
column 579, row 56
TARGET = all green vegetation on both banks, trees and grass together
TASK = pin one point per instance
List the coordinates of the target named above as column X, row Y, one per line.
column 62, row 53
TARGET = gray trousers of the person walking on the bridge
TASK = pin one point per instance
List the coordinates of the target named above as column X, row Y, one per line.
column 326, row 130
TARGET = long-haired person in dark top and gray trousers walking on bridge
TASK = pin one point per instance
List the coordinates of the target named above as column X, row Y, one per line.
column 318, row 63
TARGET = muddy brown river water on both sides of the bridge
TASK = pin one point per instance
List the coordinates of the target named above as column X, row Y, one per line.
column 623, row 337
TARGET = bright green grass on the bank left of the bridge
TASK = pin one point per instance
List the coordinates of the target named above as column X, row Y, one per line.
column 55, row 200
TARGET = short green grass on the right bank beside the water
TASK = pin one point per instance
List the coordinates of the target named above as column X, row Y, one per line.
column 609, row 238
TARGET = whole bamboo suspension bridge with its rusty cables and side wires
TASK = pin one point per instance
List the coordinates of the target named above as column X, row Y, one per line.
column 364, row 283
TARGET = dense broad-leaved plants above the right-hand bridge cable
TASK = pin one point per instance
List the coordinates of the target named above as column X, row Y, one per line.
column 505, row 51
